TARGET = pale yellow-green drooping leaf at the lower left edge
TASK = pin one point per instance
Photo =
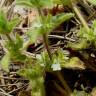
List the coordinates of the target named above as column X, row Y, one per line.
column 5, row 62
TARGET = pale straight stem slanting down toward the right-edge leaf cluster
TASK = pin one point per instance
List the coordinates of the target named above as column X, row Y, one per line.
column 77, row 11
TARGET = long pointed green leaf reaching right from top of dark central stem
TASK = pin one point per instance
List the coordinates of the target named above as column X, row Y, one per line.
column 51, row 22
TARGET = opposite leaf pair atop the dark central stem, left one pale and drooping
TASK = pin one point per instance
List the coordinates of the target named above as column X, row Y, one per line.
column 49, row 23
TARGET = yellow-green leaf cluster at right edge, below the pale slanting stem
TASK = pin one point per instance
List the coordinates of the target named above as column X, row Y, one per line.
column 85, row 38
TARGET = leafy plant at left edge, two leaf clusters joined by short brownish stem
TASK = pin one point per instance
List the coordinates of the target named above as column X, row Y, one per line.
column 13, row 44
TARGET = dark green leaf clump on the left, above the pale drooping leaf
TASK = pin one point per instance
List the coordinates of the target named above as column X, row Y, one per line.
column 15, row 48
